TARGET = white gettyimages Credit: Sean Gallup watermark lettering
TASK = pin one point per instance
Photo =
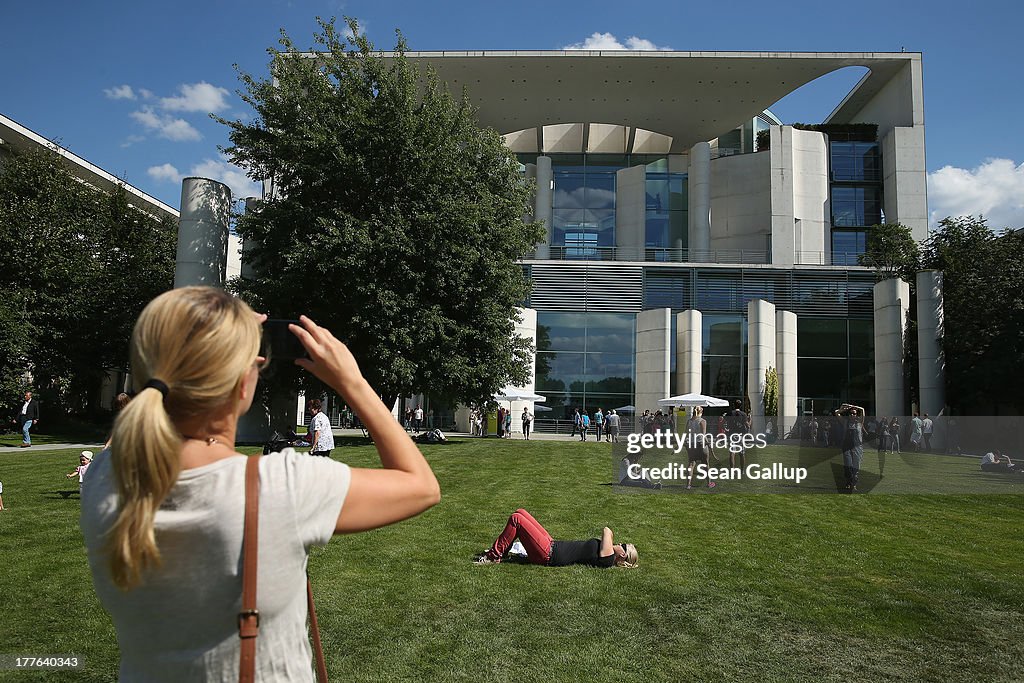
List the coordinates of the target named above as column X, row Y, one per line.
column 700, row 449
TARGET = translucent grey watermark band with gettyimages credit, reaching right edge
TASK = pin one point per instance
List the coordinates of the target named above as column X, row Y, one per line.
column 829, row 454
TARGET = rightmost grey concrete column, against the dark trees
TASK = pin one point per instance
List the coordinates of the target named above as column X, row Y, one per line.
column 931, row 361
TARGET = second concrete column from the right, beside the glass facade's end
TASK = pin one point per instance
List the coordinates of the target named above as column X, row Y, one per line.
column 892, row 302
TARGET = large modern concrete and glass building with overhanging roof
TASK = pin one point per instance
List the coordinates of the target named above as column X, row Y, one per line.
column 694, row 242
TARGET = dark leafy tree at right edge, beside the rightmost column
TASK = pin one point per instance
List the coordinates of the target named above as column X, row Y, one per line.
column 984, row 278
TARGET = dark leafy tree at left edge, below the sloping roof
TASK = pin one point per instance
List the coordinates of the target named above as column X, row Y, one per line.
column 80, row 265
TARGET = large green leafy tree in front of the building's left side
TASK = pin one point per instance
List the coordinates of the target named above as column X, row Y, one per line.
column 397, row 222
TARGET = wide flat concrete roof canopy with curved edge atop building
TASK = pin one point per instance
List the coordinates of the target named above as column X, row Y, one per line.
column 688, row 97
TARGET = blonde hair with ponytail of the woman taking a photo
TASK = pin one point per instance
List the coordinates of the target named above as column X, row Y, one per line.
column 200, row 343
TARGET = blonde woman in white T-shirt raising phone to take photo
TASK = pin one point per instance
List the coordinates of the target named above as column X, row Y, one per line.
column 163, row 514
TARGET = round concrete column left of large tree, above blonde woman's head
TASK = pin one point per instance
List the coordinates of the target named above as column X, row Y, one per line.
column 202, row 260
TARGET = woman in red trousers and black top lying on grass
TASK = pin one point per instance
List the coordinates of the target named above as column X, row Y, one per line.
column 542, row 549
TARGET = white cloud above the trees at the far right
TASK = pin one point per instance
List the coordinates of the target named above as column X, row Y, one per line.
column 996, row 190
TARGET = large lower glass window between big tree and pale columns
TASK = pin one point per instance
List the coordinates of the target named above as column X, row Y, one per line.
column 585, row 361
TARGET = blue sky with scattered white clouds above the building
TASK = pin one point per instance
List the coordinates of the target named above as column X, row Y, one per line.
column 130, row 86
